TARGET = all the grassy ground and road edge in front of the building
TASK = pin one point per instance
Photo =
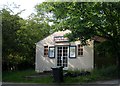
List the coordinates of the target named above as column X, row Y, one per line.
column 31, row 78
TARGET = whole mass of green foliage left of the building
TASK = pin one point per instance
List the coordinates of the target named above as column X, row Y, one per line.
column 19, row 38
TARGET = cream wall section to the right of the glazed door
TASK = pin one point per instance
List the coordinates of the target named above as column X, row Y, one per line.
column 85, row 62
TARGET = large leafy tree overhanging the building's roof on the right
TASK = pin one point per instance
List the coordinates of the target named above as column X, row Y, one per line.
column 87, row 20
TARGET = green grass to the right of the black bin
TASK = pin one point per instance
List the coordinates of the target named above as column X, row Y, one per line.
column 96, row 75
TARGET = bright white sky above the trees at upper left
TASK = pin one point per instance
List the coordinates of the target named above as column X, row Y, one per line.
column 27, row 5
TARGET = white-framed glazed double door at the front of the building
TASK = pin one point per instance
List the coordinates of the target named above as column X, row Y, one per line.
column 62, row 56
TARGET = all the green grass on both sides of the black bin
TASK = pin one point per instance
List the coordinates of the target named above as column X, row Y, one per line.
column 96, row 74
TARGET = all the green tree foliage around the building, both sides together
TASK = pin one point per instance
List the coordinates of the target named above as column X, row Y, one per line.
column 85, row 20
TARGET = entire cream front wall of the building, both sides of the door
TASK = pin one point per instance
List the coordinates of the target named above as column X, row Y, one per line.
column 85, row 62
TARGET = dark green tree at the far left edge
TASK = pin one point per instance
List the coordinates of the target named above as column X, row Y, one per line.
column 10, row 24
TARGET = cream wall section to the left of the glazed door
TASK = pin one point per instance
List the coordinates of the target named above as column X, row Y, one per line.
column 43, row 63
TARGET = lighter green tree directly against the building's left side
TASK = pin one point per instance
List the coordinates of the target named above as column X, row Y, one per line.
column 32, row 30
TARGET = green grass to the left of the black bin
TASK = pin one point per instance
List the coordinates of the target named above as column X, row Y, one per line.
column 19, row 76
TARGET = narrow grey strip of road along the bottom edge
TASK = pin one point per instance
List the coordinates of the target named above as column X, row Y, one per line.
column 98, row 83
